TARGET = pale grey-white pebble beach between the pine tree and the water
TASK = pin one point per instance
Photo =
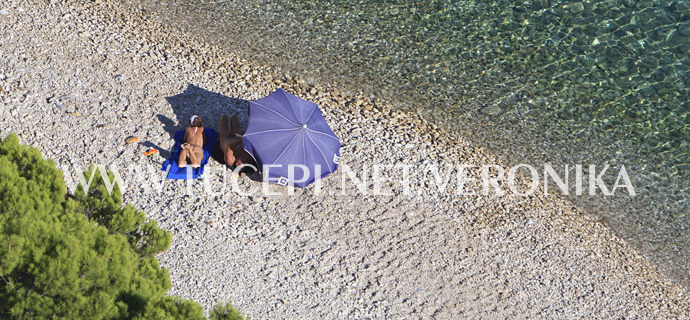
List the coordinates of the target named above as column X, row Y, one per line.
column 77, row 79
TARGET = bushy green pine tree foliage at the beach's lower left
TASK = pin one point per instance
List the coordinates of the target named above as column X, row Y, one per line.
column 78, row 257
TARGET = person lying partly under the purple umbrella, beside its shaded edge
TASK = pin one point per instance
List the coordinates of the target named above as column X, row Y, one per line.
column 231, row 143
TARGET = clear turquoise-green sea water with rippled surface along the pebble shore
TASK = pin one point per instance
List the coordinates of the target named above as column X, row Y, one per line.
column 564, row 82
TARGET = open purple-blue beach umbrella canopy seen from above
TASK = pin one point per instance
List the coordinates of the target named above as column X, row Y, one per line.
column 290, row 139
